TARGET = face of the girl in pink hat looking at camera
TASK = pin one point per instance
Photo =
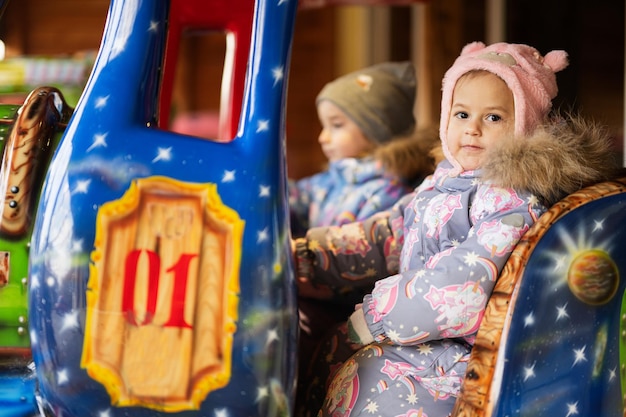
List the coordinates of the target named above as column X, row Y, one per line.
column 482, row 113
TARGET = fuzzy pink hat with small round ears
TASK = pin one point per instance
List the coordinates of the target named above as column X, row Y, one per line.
column 530, row 77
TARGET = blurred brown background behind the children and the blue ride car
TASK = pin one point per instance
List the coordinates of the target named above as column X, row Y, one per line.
column 54, row 43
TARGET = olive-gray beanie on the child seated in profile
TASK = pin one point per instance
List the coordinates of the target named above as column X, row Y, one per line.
column 379, row 99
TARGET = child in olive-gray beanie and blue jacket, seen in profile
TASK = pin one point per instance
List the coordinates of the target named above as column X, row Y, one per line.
column 368, row 136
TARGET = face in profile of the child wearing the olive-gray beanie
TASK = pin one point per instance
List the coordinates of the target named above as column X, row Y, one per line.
column 340, row 137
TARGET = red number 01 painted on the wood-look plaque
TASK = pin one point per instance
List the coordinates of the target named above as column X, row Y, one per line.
column 181, row 274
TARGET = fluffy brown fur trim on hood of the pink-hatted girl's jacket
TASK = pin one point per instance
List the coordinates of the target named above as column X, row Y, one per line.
column 555, row 161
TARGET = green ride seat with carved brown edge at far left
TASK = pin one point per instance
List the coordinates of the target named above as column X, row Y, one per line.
column 30, row 134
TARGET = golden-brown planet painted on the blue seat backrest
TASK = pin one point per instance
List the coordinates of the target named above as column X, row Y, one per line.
column 593, row 277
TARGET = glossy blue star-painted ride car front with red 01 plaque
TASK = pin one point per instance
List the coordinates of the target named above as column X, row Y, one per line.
column 139, row 301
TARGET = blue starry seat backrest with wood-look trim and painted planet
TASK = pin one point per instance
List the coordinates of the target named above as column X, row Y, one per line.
column 550, row 342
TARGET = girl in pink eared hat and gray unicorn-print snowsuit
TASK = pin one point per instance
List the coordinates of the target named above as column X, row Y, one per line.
column 427, row 267
